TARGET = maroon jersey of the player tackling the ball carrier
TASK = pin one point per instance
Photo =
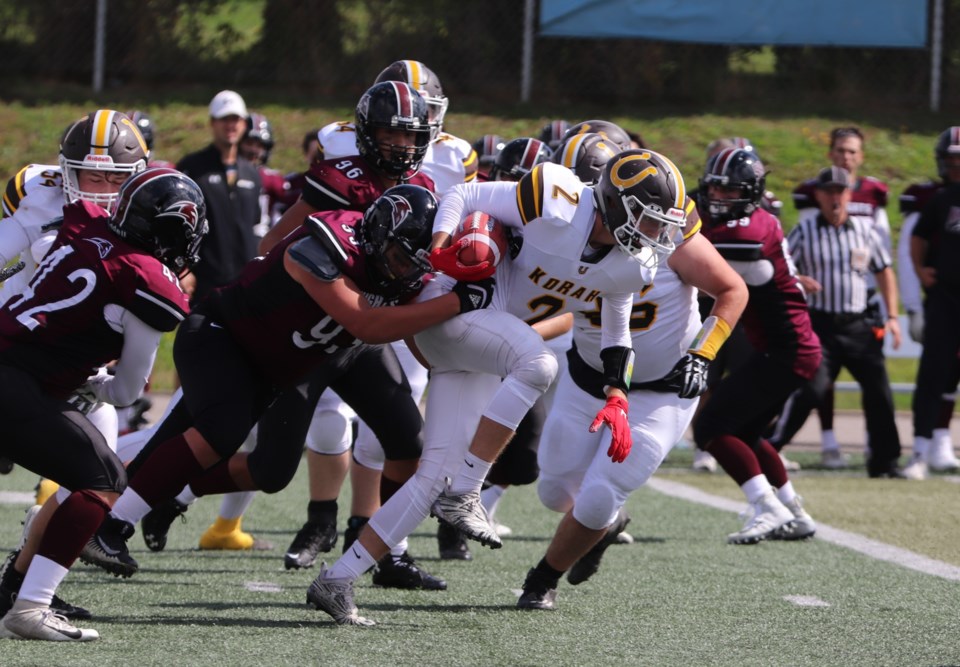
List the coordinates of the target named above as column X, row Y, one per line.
column 283, row 330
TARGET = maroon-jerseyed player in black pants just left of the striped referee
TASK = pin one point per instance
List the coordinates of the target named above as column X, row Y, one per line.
column 786, row 350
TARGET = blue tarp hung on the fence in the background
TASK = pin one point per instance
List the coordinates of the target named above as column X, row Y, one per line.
column 876, row 23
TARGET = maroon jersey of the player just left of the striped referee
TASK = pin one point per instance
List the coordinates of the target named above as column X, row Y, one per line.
column 776, row 320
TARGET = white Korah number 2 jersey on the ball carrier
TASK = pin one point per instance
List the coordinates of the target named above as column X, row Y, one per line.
column 555, row 272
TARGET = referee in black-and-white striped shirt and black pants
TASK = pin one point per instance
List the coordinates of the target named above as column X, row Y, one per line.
column 834, row 252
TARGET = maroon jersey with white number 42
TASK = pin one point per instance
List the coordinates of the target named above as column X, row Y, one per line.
column 59, row 329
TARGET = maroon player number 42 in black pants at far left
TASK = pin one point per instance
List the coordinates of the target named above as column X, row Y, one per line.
column 107, row 289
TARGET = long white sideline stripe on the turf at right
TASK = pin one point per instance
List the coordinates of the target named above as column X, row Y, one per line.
column 843, row 538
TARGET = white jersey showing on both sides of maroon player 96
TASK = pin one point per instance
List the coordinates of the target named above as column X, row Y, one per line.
column 449, row 160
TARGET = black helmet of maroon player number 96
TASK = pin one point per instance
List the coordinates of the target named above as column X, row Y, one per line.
column 392, row 105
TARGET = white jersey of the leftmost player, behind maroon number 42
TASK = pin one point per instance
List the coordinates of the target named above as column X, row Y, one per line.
column 33, row 198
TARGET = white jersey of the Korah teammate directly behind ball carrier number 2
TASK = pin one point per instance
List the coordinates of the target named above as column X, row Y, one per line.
column 664, row 321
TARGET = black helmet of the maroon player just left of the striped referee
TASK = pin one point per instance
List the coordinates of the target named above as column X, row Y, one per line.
column 732, row 168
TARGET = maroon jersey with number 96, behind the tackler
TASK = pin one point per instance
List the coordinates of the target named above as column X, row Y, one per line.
column 349, row 183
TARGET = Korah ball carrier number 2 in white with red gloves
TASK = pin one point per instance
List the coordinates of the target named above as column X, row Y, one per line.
column 580, row 244
